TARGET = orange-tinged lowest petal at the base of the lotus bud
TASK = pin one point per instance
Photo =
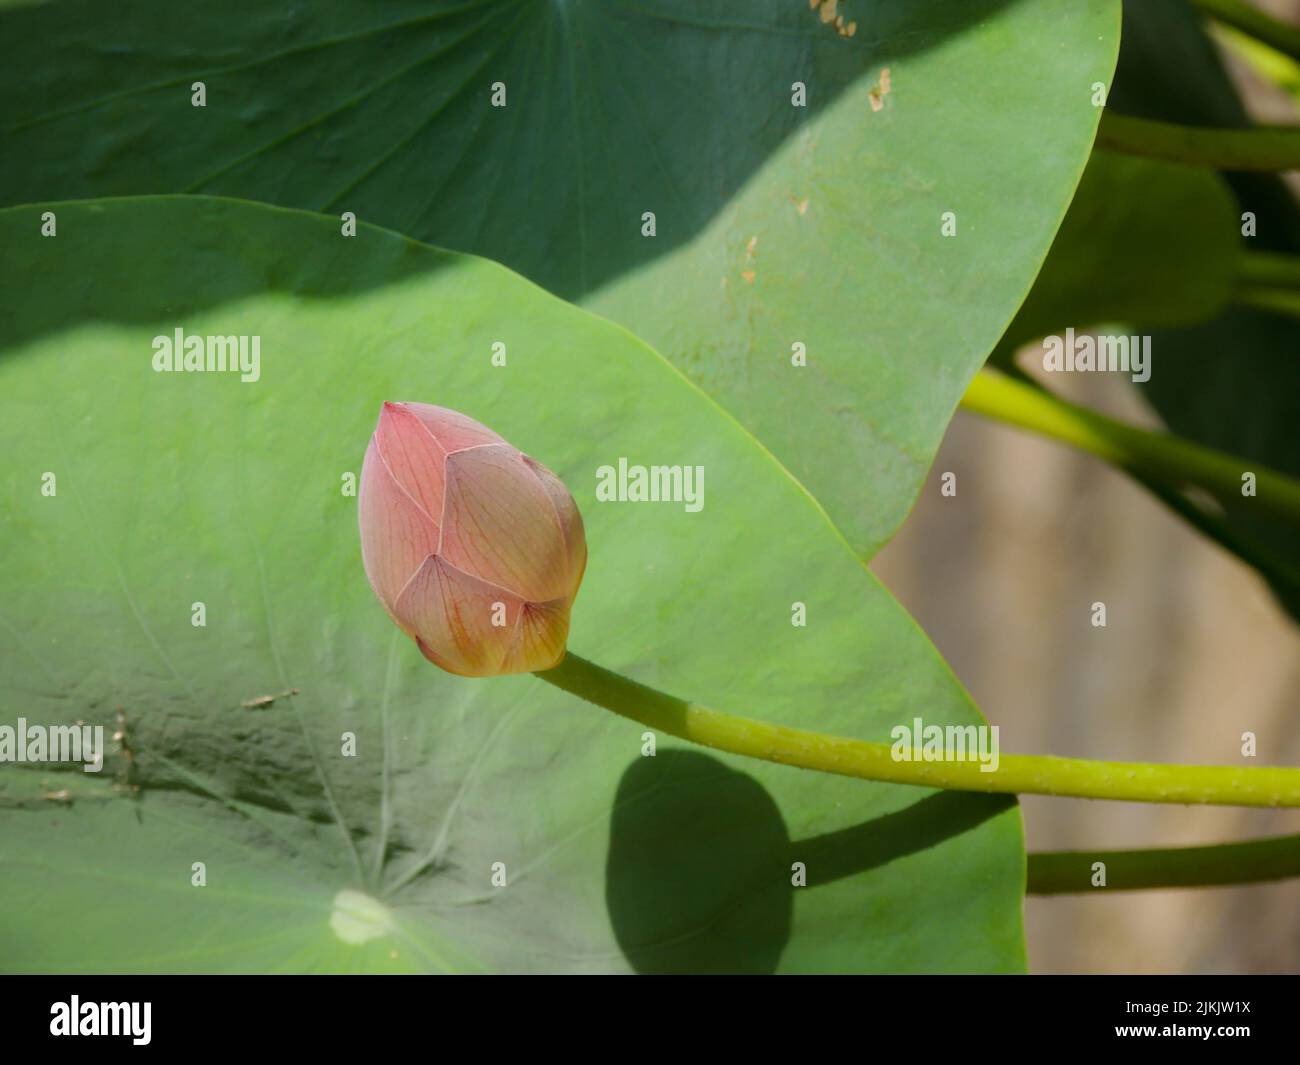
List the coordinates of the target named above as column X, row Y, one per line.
column 461, row 624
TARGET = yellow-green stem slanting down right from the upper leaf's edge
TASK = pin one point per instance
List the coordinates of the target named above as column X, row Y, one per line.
column 1137, row 451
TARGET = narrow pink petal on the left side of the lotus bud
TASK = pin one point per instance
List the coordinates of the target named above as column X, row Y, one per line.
column 397, row 536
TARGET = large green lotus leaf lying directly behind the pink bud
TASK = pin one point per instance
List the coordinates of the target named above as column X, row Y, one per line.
column 174, row 490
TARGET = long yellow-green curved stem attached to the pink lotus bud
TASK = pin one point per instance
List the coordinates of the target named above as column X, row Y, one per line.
column 1016, row 774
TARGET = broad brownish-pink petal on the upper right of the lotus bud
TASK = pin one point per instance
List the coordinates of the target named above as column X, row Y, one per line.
column 501, row 526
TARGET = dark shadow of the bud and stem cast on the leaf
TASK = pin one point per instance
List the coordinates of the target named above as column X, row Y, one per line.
column 699, row 877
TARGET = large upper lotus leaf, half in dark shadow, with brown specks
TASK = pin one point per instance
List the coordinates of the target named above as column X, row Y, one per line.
column 775, row 226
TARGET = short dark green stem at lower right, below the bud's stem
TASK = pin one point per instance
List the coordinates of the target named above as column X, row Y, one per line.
column 1256, row 861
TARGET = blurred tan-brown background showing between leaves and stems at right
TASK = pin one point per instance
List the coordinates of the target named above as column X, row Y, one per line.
column 1195, row 653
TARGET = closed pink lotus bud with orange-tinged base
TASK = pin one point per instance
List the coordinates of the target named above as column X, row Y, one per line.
column 475, row 549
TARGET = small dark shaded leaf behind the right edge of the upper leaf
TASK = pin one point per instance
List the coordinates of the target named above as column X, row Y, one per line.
column 1145, row 243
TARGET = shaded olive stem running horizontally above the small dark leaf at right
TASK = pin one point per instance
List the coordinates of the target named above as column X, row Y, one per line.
column 1255, row 149
